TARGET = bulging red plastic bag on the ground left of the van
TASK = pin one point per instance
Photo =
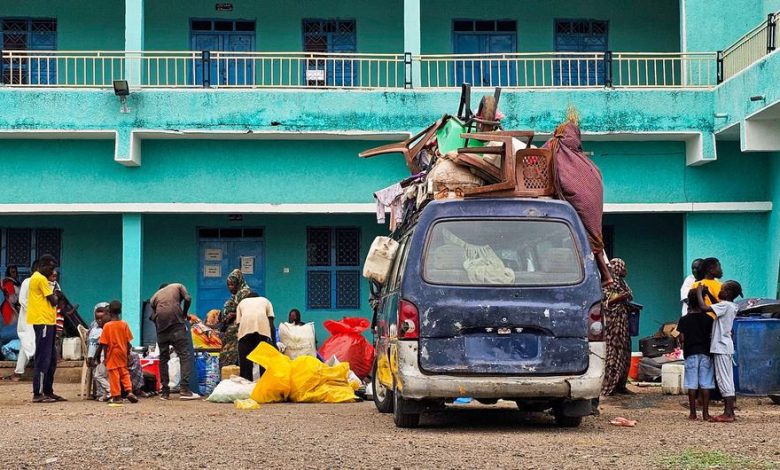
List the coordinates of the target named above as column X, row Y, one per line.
column 348, row 344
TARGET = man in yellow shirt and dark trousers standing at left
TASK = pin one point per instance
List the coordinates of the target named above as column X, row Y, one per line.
column 42, row 316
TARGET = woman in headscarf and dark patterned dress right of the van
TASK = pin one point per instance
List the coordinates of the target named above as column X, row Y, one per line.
column 615, row 310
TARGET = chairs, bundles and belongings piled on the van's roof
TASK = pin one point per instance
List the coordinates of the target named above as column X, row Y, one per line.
column 471, row 156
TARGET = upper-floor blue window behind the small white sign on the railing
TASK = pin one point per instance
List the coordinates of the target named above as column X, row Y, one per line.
column 330, row 36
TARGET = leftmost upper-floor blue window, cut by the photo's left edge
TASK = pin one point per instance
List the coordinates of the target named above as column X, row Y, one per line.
column 29, row 34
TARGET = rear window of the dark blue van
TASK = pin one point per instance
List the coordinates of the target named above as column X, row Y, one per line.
column 480, row 252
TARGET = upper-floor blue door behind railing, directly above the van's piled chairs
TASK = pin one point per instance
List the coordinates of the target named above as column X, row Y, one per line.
column 484, row 37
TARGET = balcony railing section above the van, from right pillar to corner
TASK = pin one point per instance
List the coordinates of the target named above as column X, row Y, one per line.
column 570, row 70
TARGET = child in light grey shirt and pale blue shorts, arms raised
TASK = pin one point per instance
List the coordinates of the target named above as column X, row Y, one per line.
column 722, row 346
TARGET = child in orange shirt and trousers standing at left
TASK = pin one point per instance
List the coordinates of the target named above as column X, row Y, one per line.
column 116, row 339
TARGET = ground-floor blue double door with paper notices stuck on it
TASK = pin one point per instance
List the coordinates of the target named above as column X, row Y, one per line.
column 217, row 258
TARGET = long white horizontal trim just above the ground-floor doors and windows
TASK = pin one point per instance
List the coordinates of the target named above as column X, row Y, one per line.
column 339, row 208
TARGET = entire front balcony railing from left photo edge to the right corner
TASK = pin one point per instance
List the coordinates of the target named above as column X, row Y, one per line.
column 197, row 69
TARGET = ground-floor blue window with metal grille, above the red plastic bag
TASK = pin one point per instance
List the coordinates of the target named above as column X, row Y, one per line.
column 333, row 268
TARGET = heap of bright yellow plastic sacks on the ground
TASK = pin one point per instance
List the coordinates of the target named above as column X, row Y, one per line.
column 304, row 380
